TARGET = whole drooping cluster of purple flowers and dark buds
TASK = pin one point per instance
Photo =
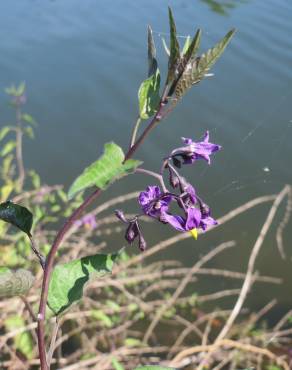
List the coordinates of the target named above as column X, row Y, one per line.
column 156, row 201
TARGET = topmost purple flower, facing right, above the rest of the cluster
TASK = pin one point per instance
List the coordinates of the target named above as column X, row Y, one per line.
column 196, row 150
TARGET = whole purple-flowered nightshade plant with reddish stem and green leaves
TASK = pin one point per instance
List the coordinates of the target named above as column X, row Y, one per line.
column 63, row 284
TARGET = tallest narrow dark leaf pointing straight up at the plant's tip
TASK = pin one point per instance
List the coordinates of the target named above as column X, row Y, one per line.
column 174, row 56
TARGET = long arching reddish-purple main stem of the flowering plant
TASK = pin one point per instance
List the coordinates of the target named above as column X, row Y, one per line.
column 66, row 227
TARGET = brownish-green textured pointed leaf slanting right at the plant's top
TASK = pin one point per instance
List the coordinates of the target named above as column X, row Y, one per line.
column 197, row 68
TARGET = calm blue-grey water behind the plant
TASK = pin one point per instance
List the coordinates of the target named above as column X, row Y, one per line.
column 83, row 62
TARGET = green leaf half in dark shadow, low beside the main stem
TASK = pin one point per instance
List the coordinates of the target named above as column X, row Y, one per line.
column 68, row 280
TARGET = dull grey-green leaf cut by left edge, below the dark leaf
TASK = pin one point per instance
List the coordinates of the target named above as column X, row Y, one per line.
column 14, row 283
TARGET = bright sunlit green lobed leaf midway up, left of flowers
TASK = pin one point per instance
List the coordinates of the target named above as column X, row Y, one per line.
column 105, row 170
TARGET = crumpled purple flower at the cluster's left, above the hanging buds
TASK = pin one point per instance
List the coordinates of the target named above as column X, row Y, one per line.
column 153, row 202
